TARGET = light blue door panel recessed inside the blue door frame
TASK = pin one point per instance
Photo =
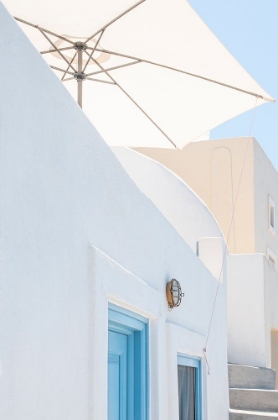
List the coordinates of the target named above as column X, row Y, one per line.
column 117, row 376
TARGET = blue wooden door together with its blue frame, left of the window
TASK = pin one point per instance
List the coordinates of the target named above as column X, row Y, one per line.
column 133, row 390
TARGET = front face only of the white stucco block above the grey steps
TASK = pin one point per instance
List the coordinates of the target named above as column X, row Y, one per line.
column 246, row 310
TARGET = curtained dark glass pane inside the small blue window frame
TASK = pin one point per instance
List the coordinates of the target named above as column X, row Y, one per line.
column 187, row 392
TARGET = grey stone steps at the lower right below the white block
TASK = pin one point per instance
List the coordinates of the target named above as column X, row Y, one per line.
column 252, row 393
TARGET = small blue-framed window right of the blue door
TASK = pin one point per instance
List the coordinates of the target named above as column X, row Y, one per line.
column 189, row 387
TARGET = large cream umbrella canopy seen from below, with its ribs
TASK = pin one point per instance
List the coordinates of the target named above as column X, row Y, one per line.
column 152, row 73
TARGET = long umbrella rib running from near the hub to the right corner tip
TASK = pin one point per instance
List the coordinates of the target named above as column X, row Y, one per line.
column 188, row 74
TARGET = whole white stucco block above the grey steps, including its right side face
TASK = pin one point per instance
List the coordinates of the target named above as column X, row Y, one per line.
column 252, row 309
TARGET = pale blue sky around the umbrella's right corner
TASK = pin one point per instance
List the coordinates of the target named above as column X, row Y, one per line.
column 249, row 29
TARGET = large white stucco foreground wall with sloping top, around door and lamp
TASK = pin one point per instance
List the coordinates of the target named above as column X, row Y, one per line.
column 75, row 233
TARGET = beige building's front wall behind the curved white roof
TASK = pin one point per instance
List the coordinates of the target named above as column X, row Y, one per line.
column 213, row 169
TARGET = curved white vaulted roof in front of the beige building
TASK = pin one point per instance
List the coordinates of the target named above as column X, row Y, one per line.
column 172, row 196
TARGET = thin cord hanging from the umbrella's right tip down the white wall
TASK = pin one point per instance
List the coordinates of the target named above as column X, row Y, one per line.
column 228, row 236
